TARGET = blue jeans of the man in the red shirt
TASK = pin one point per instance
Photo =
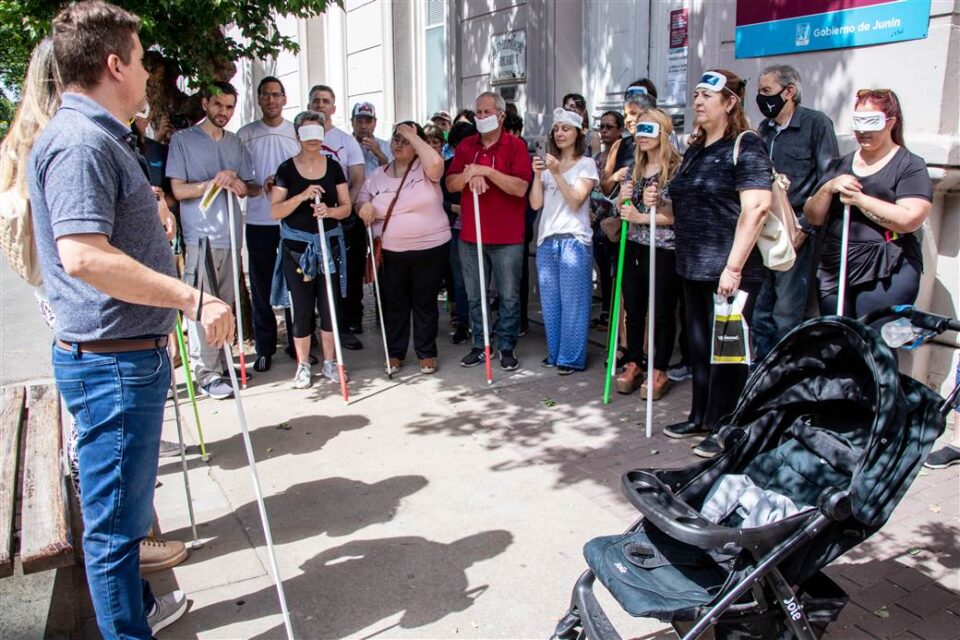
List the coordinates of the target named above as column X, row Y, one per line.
column 504, row 260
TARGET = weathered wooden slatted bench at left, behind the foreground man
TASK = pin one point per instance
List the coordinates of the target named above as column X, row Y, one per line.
column 39, row 516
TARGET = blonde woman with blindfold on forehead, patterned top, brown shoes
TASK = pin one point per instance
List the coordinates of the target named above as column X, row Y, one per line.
column 656, row 162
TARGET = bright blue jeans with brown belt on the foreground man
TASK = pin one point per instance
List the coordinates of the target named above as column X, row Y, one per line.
column 117, row 402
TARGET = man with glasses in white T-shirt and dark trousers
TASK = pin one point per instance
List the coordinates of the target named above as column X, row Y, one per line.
column 269, row 141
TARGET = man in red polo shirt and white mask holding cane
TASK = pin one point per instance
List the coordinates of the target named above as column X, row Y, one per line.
column 496, row 166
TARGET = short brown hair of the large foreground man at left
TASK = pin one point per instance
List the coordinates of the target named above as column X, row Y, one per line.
column 85, row 33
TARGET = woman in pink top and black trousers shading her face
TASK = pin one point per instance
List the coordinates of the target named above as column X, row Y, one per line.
column 403, row 202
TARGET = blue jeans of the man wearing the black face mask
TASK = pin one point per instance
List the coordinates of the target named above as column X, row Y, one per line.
column 781, row 302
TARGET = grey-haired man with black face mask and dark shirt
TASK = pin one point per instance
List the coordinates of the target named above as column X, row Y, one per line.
column 801, row 143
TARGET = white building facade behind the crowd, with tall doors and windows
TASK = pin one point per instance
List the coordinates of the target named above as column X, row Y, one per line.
column 411, row 58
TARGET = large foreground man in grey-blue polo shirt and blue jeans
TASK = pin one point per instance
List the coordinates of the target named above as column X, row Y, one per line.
column 108, row 272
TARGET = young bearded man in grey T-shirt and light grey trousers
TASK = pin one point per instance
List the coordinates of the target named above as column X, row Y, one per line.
column 201, row 156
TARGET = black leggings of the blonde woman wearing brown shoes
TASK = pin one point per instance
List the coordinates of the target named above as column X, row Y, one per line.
column 636, row 279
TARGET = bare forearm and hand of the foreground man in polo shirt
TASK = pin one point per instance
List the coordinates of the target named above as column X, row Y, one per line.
column 91, row 258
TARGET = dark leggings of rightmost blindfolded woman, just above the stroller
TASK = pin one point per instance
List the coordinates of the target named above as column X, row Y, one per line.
column 900, row 287
